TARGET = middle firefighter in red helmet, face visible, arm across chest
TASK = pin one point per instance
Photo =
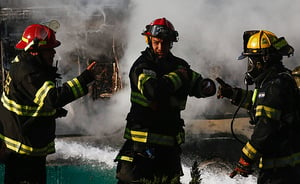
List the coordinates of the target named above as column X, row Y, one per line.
column 160, row 83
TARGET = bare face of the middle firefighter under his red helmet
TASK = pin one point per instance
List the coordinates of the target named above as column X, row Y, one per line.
column 161, row 47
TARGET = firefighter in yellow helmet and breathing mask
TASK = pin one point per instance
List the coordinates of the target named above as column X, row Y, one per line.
column 274, row 144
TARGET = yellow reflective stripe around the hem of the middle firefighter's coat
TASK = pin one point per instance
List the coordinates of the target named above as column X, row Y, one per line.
column 147, row 137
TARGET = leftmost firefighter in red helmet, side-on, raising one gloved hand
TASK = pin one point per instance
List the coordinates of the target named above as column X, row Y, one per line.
column 30, row 103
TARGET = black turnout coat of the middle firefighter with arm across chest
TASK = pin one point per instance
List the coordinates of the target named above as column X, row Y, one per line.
column 158, row 94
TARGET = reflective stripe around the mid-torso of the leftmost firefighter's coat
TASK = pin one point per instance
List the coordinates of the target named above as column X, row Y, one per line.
column 24, row 110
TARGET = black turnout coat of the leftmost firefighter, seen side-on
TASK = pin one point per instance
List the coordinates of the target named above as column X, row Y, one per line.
column 31, row 102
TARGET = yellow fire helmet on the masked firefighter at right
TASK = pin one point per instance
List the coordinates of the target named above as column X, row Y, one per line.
column 263, row 42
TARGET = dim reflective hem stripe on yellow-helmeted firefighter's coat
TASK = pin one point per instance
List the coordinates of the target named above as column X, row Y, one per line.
column 290, row 160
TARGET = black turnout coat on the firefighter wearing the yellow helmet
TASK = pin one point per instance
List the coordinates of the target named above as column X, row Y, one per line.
column 274, row 108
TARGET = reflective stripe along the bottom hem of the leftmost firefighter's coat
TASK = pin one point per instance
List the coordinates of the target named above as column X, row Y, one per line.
column 25, row 149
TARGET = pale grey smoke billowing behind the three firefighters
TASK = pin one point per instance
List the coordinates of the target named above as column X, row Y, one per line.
column 210, row 39
